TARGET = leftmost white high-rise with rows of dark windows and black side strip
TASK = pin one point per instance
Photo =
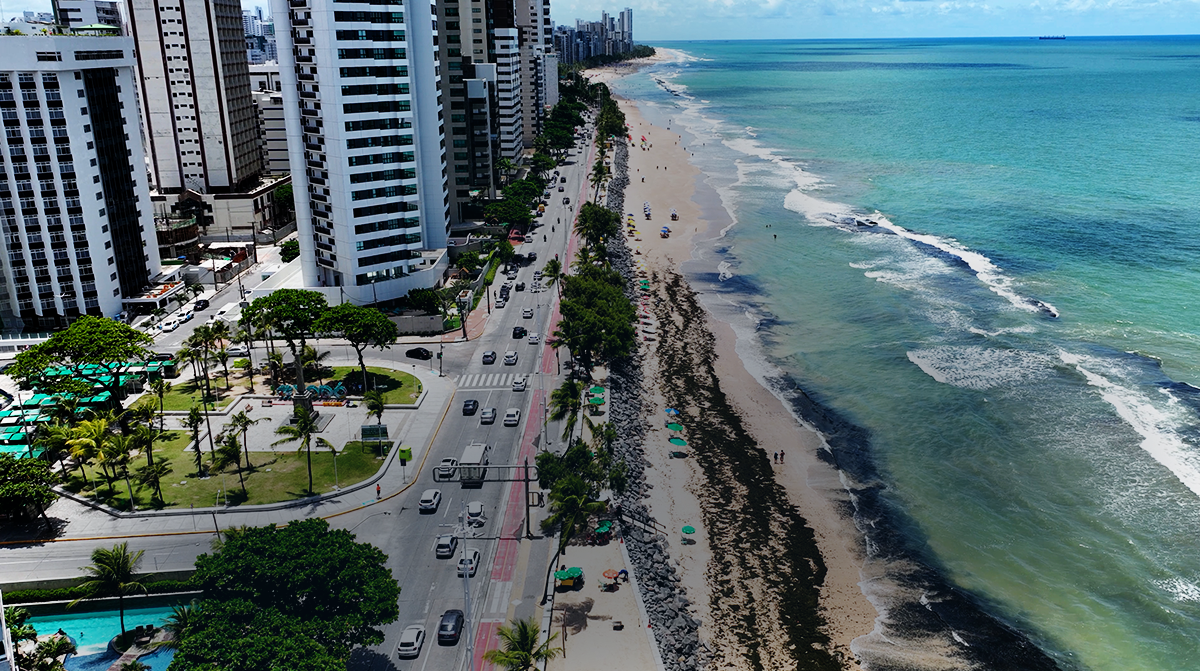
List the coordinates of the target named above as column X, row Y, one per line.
column 77, row 225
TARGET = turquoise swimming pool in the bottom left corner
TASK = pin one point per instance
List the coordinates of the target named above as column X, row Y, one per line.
column 92, row 633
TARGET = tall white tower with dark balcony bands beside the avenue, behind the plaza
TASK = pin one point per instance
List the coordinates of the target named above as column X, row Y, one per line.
column 365, row 130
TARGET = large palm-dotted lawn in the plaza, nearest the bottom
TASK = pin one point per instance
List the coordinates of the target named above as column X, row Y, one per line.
column 273, row 478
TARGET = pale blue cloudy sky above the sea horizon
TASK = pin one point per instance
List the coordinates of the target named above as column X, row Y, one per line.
column 657, row 21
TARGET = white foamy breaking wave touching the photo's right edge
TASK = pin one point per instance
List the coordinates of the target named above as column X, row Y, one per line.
column 1148, row 421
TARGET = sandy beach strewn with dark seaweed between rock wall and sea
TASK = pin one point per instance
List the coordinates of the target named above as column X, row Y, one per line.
column 746, row 567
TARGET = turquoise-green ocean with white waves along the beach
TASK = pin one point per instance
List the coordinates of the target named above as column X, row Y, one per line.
column 977, row 260
